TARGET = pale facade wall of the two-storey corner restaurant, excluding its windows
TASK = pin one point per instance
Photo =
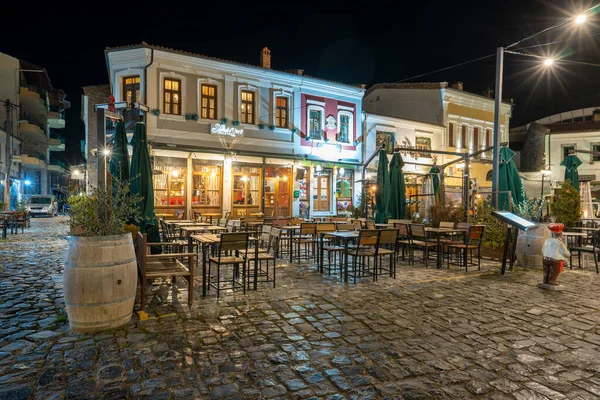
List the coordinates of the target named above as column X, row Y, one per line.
column 279, row 146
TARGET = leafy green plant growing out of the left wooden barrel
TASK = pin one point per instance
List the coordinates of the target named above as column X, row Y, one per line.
column 103, row 213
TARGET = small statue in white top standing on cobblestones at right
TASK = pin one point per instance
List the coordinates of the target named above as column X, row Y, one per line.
column 555, row 254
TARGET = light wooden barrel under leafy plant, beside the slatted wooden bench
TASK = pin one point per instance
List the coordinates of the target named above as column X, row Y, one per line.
column 100, row 281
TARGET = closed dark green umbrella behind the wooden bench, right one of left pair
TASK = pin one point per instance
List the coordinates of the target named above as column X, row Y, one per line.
column 141, row 182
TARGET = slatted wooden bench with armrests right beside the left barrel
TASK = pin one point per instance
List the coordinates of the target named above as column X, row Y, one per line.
column 154, row 266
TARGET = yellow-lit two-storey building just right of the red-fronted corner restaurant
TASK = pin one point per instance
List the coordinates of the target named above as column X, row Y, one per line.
column 466, row 118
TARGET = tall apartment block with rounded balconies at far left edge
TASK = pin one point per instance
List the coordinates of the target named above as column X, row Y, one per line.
column 36, row 127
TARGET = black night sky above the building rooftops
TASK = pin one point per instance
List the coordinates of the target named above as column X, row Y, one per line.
column 360, row 42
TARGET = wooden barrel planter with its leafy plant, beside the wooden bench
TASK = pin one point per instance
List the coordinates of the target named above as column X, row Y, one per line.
column 100, row 275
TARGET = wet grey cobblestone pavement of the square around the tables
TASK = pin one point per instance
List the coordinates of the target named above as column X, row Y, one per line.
column 429, row 334
